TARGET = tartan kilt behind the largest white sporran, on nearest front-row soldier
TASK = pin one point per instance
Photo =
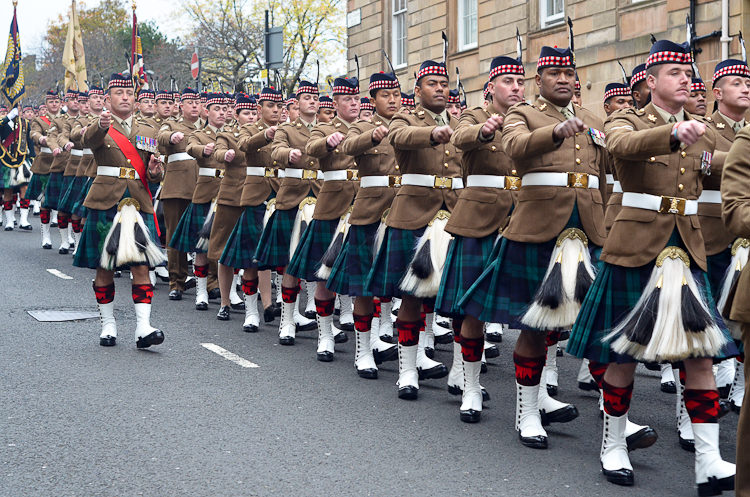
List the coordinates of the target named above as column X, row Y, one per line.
column 612, row 296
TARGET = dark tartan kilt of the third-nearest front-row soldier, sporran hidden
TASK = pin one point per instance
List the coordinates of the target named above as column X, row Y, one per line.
column 467, row 258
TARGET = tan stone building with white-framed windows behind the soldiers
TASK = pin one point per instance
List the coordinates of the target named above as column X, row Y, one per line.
column 478, row 30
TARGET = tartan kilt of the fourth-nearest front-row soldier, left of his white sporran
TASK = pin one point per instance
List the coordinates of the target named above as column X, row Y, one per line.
column 392, row 262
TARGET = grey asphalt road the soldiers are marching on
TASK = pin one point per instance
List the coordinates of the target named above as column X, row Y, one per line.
column 77, row 419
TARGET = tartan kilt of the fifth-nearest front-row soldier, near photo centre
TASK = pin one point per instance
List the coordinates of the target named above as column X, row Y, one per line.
column 353, row 264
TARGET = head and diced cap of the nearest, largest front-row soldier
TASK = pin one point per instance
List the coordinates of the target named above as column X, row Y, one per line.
column 669, row 72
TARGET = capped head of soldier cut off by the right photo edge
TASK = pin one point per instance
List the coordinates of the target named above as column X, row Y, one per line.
column 731, row 87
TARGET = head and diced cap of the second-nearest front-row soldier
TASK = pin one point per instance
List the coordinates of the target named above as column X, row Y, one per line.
column 556, row 75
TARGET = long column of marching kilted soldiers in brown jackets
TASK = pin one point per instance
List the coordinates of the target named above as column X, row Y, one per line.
column 536, row 215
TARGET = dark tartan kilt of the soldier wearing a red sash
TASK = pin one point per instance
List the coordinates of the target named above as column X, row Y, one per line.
column 98, row 224
